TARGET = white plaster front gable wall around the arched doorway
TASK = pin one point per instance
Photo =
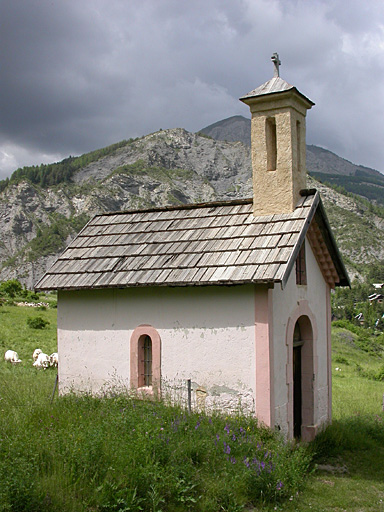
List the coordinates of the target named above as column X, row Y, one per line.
column 284, row 304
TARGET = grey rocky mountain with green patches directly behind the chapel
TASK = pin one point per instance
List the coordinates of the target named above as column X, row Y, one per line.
column 167, row 167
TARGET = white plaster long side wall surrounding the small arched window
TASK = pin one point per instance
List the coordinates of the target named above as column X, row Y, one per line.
column 207, row 335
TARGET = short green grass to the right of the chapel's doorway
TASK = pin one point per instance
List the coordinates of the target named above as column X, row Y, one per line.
column 358, row 418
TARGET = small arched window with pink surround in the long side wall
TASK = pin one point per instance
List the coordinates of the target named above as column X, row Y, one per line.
column 145, row 359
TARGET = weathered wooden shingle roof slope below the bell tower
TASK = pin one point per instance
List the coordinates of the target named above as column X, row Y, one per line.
column 204, row 244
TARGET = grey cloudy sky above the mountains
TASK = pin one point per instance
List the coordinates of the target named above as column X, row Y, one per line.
column 77, row 75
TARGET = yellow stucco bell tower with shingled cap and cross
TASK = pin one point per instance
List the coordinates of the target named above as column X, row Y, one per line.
column 278, row 144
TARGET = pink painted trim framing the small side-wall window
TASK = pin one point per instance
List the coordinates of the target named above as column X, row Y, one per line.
column 140, row 331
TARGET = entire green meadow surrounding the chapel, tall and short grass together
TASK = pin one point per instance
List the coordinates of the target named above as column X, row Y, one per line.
column 118, row 453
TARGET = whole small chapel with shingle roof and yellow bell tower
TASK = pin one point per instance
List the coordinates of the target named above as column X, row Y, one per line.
column 233, row 296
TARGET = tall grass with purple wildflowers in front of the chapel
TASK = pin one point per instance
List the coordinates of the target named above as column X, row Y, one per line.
column 118, row 453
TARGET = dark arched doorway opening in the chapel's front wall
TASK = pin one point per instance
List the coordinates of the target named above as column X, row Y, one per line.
column 303, row 375
